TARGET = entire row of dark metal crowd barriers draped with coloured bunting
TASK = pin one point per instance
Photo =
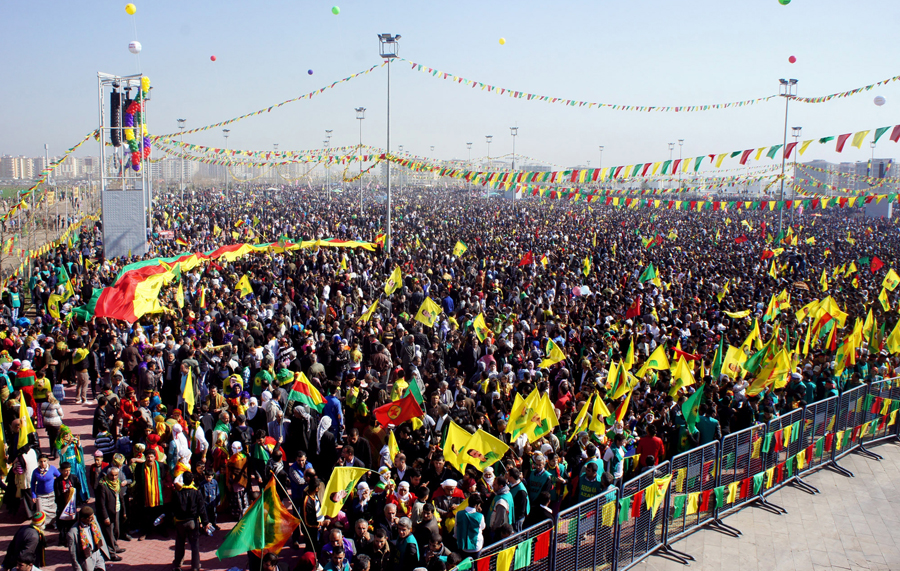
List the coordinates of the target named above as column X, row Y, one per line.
column 616, row 530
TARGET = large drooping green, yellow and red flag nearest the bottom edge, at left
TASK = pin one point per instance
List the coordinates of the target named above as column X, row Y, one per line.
column 265, row 527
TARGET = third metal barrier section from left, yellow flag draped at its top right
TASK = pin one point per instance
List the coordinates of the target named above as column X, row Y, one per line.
column 642, row 531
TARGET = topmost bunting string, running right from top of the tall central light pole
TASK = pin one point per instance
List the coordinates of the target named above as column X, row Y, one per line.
column 516, row 94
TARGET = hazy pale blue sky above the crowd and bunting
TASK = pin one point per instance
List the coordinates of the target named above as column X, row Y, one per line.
column 640, row 52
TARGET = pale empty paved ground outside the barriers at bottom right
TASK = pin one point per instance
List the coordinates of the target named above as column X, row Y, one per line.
column 854, row 523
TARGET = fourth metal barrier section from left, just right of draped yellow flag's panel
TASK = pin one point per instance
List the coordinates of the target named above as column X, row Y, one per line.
column 693, row 476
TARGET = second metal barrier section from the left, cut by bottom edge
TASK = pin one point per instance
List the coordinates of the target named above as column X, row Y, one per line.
column 585, row 534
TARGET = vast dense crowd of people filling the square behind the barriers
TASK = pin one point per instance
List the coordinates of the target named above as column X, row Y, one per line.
column 534, row 270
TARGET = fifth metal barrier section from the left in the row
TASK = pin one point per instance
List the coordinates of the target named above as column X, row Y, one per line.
column 745, row 447
